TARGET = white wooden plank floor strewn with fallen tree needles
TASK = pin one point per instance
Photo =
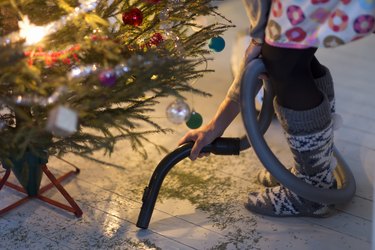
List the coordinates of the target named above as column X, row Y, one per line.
column 201, row 204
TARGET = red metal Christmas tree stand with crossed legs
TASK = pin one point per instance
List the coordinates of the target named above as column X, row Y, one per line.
column 55, row 182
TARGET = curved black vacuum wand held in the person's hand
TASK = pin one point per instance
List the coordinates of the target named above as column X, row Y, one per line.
column 220, row 146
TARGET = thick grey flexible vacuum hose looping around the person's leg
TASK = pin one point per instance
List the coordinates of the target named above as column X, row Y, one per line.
column 249, row 88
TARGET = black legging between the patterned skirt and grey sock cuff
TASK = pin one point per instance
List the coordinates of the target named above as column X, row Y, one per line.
column 292, row 73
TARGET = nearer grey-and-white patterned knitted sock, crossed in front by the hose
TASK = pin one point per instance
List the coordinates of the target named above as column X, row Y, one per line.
column 310, row 137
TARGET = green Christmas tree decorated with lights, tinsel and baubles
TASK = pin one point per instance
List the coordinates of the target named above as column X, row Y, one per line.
column 77, row 76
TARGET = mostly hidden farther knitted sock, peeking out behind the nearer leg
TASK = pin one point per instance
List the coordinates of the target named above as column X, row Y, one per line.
column 325, row 85
